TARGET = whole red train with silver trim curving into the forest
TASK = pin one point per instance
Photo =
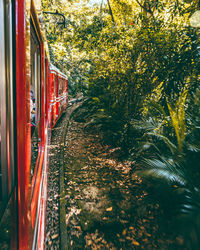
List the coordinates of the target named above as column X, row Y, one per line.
column 33, row 96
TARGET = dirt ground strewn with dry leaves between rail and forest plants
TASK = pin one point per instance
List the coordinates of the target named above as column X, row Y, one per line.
column 107, row 205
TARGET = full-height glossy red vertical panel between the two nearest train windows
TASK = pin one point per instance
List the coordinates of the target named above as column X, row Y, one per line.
column 23, row 123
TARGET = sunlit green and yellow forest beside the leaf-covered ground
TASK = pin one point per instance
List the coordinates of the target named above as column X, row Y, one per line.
column 136, row 62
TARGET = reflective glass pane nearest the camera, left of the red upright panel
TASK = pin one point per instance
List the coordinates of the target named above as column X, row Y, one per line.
column 6, row 102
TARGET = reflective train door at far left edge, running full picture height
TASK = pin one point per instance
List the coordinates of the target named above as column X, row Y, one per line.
column 8, row 218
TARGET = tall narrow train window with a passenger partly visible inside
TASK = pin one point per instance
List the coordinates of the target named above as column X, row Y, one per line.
column 35, row 101
